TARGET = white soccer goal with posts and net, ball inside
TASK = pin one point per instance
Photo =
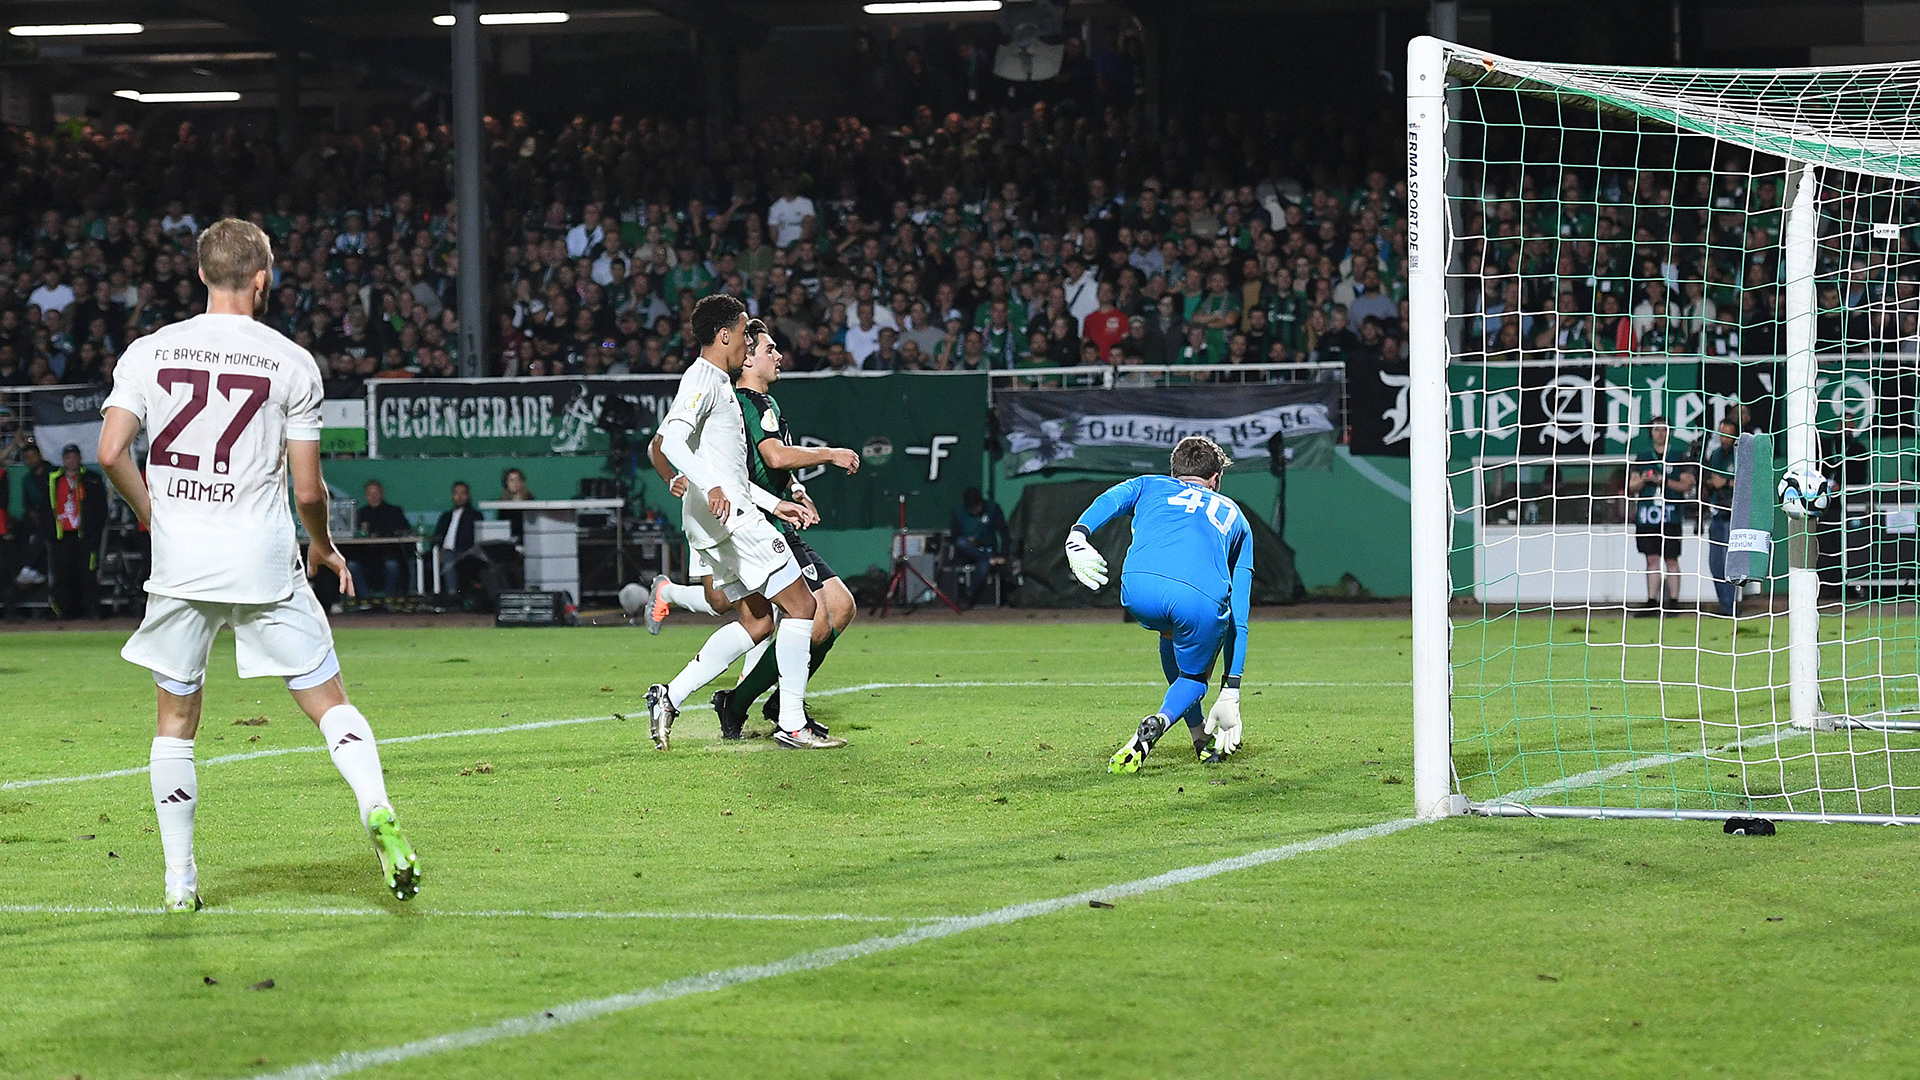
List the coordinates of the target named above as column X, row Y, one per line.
column 1641, row 297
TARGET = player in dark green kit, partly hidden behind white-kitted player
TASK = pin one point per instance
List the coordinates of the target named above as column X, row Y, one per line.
column 773, row 458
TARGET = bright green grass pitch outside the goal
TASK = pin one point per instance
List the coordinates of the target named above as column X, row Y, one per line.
column 1468, row 948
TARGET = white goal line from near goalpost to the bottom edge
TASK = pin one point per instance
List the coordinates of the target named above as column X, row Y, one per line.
column 577, row 1012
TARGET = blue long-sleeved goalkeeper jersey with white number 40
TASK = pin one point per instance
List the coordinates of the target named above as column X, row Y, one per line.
column 1191, row 535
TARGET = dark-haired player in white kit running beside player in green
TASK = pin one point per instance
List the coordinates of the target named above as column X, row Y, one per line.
column 706, row 439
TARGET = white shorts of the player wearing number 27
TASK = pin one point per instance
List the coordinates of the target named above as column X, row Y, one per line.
column 281, row 639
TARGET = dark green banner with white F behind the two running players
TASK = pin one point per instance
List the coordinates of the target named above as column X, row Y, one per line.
column 921, row 435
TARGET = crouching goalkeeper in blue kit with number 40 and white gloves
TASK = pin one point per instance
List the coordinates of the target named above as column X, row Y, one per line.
column 1189, row 576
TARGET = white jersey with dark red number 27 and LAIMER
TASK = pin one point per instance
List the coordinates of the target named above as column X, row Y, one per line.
column 222, row 397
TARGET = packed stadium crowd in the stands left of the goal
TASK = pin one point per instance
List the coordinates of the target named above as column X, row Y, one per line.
column 999, row 239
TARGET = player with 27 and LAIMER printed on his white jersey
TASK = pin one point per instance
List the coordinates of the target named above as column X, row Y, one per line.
column 229, row 406
